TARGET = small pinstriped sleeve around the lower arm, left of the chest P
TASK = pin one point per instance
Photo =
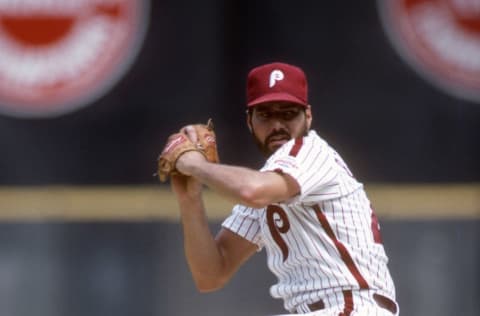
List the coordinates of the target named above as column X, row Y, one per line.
column 244, row 221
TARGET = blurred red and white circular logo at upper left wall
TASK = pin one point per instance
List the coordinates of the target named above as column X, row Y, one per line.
column 57, row 56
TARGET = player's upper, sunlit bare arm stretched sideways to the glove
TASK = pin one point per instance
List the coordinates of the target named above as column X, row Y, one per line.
column 241, row 185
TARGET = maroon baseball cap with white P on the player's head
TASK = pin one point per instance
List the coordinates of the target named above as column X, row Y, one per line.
column 277, row 82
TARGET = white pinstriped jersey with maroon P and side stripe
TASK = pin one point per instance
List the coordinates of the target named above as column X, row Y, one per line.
column 324, row 240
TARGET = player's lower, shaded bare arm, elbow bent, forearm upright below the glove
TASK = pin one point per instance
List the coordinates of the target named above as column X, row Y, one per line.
column 212, row 261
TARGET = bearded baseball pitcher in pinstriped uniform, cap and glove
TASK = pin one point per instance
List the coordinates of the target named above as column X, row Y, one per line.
column 304, row 207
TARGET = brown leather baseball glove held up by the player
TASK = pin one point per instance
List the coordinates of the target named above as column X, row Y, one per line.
column 179, row 143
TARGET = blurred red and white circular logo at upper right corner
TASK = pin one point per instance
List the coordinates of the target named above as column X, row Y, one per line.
column 440, row 39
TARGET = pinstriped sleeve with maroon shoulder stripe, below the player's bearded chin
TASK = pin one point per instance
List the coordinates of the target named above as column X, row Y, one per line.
column 309, row 161
